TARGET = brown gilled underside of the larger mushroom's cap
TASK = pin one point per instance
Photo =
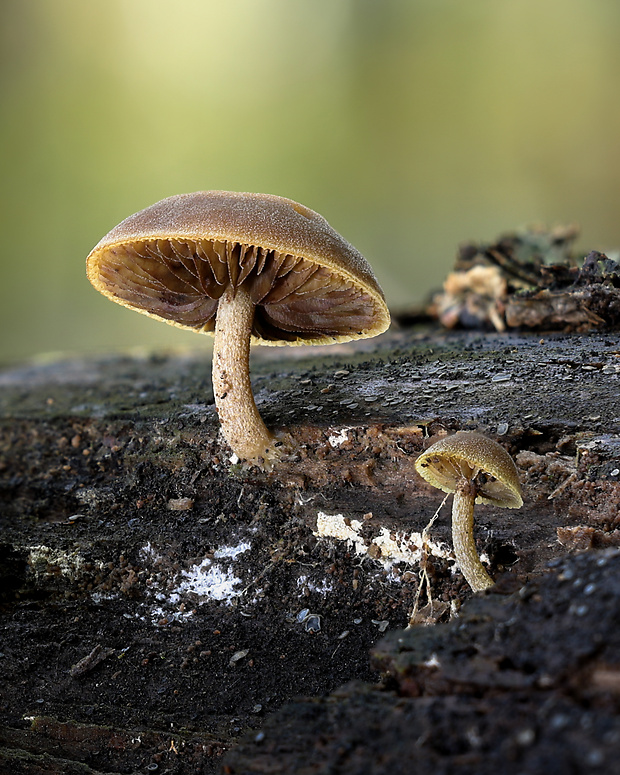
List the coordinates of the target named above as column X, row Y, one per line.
column 295, row 298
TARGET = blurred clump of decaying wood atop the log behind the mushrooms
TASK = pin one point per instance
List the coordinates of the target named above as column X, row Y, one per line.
column 532, row 280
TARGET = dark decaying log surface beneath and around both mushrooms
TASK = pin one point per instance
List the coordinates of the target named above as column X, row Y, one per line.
column 162, row 606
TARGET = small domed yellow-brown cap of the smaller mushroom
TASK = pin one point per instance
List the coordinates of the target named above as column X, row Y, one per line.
column 463, row 456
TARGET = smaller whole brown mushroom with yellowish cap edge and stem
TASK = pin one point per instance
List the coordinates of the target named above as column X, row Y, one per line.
column 477, row 470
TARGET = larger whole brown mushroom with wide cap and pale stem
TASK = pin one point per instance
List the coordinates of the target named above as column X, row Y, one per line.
column 245, row 268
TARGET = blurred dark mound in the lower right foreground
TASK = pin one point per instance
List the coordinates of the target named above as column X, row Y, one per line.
column 527, row 683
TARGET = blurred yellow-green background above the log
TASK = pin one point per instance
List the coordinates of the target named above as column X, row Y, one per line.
column 411, row 125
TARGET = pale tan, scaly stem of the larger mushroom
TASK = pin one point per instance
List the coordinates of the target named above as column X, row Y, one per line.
column 242, row 425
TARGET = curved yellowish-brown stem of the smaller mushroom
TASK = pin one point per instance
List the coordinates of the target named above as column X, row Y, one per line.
column 463, row 537
